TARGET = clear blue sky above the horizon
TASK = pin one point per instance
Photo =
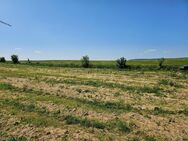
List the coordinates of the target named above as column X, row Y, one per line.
column 101, row 29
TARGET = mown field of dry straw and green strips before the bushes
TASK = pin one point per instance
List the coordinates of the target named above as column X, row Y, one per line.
column 45, row 103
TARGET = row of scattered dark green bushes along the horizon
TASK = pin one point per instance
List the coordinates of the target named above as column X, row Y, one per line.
column 121, row 63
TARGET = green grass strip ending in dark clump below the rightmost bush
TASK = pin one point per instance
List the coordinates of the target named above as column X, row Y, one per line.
column 96, row 83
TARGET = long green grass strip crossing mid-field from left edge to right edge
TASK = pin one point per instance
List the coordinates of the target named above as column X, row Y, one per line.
column 107, row 106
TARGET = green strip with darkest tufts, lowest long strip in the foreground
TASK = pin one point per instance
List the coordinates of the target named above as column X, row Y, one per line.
column 69, row 119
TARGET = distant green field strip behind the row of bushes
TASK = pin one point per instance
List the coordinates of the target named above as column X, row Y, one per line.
column 139, row 64
